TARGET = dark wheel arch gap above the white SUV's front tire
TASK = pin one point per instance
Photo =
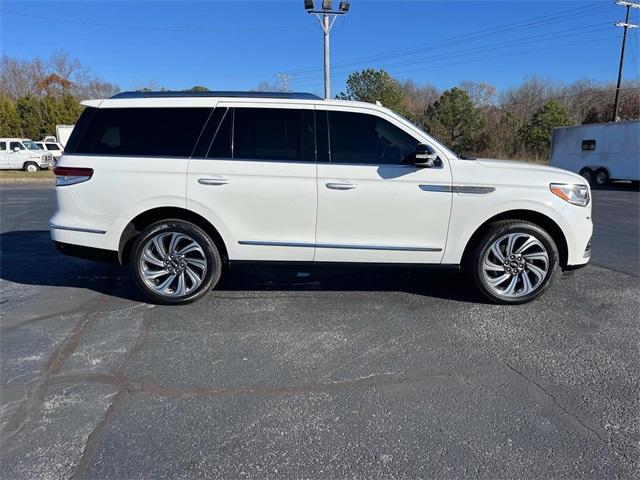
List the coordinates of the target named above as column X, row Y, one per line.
column 537, row 218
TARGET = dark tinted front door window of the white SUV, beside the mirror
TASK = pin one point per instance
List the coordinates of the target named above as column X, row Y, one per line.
column 362, row 138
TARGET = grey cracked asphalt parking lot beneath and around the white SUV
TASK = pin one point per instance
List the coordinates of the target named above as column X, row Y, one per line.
column 316, row 374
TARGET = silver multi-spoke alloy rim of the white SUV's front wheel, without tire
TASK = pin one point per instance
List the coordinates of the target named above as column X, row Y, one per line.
column 515, row 265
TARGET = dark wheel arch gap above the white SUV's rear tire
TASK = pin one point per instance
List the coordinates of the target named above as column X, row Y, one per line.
column 146, row 218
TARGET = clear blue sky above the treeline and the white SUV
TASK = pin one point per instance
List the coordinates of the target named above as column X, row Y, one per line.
column 236, row 45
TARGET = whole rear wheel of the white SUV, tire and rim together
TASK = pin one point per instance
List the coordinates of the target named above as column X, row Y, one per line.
column 175, row 262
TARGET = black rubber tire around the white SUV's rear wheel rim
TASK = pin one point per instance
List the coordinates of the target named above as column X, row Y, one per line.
column 209, row 251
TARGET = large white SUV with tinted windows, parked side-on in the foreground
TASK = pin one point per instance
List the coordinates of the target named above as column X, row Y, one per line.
column 180, row 184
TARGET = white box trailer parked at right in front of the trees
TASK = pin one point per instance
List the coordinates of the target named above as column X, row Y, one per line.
column 599, row 152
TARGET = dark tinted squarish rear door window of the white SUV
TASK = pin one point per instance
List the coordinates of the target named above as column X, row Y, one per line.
column 267, row 134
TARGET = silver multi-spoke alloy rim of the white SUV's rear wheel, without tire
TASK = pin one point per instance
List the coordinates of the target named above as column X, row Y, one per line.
column 172, row 264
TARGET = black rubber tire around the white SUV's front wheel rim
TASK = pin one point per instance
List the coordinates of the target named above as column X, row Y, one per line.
column 498, row 230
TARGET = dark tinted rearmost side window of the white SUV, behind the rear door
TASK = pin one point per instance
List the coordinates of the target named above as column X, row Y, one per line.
column 170, row 132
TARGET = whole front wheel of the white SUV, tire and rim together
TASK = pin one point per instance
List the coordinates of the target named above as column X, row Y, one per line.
column 514, row 262
